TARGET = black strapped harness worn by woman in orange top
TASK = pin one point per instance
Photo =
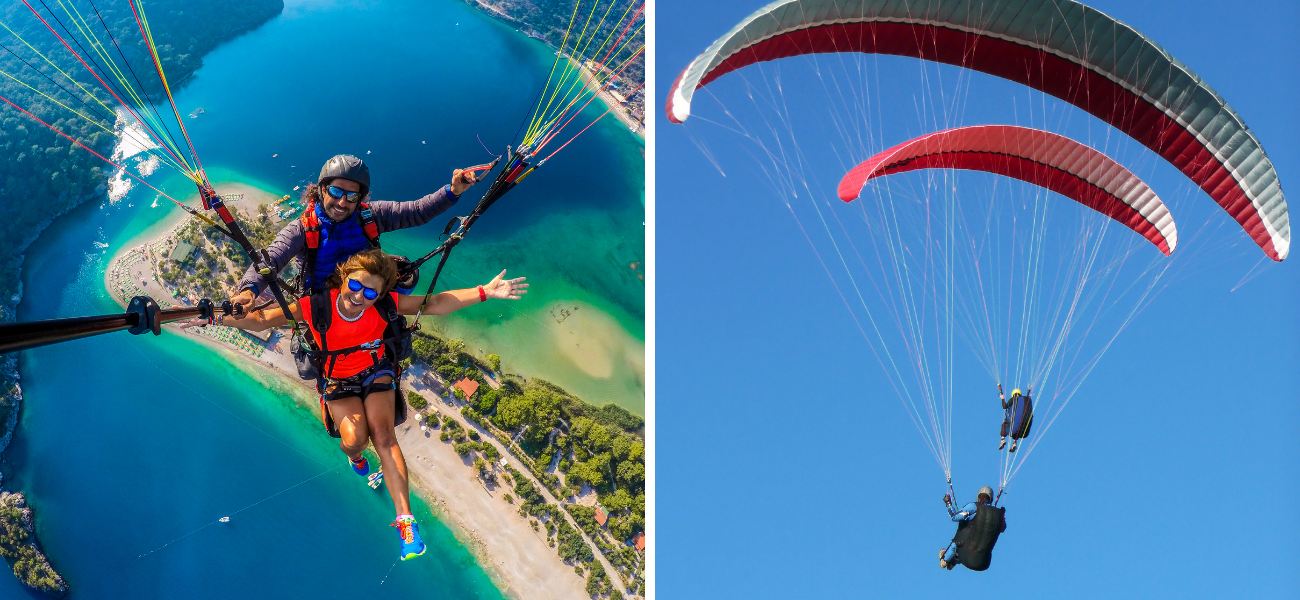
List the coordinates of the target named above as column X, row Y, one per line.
column 397, row 349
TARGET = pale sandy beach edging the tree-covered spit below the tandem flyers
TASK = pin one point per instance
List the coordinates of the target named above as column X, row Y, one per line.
column 519, row 560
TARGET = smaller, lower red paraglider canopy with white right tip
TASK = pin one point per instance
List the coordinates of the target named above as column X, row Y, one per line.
column 1041, row 158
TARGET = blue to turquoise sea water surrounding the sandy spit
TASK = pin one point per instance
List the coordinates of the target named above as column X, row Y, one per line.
column 131, row 444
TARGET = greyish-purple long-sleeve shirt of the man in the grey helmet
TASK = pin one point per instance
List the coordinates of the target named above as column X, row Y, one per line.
column 292, row 244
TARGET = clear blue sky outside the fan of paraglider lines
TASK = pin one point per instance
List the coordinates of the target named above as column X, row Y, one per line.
column 786, row 466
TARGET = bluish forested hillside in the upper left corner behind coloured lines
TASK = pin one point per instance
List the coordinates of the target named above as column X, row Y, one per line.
column 44, row 175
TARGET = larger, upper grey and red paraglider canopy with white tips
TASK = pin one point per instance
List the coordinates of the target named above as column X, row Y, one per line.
column 1060, row 47
